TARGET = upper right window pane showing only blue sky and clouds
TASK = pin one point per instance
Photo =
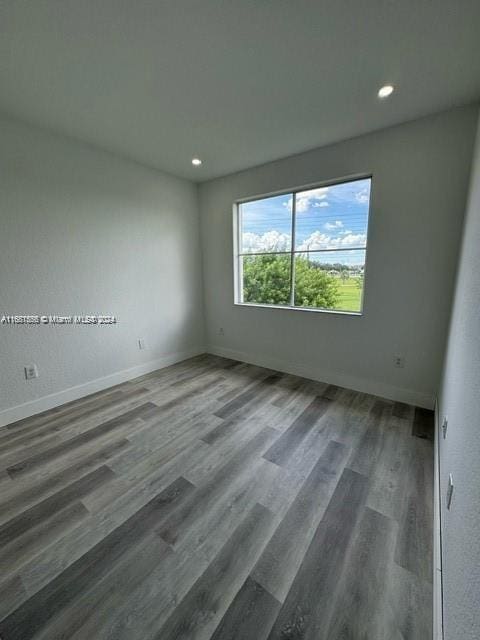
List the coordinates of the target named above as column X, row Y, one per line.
column 332, row 217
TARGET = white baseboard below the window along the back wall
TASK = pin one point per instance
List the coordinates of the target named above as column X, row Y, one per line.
column 342, row 380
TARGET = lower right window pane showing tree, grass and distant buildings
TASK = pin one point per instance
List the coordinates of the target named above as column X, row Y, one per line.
column 330, row 280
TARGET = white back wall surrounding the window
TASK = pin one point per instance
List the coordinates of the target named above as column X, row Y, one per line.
column 420, row 176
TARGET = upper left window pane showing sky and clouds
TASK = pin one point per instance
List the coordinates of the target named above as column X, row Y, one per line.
column 266, row 225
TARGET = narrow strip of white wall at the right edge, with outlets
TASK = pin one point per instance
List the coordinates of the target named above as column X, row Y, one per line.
column 460, row 452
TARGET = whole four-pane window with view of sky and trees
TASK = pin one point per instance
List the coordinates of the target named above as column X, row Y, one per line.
column 304, row 249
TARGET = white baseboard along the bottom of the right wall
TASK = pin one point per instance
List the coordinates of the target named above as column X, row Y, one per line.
column 437, row 538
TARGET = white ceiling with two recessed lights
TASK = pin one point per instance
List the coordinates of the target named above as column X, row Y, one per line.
column 236, row 82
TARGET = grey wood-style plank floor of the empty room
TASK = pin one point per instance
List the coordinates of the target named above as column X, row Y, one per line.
column 215, row 499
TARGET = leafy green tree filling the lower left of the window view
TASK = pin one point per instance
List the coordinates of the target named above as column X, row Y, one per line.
column 266, row 280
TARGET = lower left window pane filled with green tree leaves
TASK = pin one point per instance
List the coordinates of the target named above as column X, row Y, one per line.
column 266, row 279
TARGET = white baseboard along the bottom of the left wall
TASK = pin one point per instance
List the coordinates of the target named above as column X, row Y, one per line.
column 31, row 408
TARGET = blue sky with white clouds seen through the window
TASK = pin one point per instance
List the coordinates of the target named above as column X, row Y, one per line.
column 333, row 217
